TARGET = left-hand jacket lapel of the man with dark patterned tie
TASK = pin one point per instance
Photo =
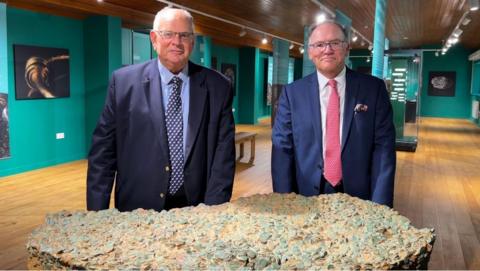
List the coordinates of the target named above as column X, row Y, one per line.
column 153, row 95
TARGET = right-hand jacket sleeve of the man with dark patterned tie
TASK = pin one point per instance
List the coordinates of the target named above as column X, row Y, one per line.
column 220, row 183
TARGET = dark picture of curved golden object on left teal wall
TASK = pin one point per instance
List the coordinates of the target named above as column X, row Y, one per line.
column 41, row 72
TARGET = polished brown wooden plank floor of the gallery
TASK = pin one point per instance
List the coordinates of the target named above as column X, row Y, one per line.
column 437, row 186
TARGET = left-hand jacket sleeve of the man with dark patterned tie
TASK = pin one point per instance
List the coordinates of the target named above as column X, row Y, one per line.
column 102, row 159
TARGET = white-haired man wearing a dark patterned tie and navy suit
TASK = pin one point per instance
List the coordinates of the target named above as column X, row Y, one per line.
column 166, row 134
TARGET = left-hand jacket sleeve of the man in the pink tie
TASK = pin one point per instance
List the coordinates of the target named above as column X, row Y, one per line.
column 283, row 156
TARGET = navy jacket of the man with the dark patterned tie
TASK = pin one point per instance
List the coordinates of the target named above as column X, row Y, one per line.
column 130, row 142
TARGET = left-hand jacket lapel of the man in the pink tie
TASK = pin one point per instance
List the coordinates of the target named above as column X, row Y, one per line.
column 314, row 97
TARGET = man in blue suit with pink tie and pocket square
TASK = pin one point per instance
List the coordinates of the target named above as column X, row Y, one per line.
column 334, row 131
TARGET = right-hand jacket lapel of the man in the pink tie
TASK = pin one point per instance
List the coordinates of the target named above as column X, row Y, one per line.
column 351, row 90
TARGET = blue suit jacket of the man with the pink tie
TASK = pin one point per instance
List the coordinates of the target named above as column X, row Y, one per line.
column 368, row 139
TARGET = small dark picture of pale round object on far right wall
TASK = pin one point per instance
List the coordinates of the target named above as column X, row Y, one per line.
column 441, row 83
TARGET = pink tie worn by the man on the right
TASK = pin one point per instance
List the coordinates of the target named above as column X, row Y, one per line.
column 333, row 162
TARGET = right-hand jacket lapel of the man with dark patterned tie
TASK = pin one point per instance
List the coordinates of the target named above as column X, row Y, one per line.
column 198, row 94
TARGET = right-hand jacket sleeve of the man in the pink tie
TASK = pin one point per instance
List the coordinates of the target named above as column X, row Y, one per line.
column 384, row 155
